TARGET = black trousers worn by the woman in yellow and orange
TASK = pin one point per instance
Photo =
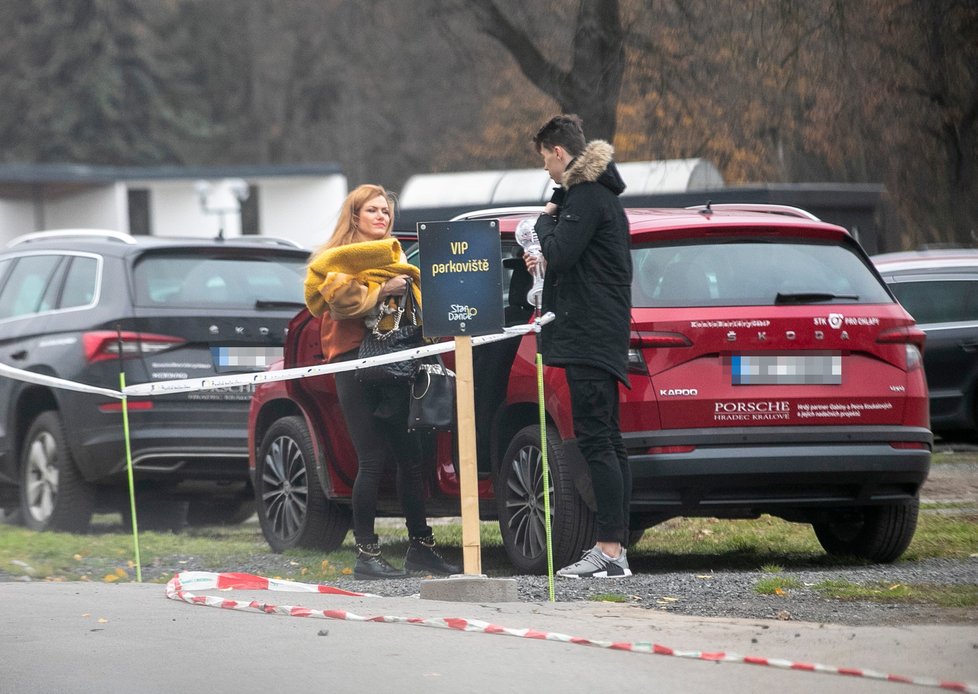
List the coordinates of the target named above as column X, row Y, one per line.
column 376, row 417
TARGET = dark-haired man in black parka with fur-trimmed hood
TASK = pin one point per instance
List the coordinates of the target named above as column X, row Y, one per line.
column 585, row 242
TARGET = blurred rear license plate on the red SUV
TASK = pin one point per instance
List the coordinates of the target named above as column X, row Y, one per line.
column 786, row 369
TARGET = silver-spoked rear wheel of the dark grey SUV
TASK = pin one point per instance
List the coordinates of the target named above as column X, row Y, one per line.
column 53, row 493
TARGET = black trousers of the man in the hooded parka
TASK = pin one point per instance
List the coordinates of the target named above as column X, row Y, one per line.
column 594, row 406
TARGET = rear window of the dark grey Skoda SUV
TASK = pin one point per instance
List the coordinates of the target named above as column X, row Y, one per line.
column 185, row 280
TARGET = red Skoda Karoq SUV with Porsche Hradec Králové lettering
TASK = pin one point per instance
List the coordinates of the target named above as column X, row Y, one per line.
column 772, row 372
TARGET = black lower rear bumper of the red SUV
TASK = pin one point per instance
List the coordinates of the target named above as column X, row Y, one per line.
column 782, row 471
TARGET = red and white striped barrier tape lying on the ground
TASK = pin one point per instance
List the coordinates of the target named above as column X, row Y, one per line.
column 176, row 590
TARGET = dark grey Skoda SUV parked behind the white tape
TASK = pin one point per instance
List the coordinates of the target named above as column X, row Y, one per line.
column 83, row 305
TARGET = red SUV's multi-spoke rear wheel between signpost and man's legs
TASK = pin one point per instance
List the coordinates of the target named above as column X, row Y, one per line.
column 520, row 507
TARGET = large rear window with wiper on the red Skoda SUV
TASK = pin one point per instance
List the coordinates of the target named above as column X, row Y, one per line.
column 720, row 272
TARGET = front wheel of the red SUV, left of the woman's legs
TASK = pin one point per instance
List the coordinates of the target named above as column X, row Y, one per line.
column 292, row 507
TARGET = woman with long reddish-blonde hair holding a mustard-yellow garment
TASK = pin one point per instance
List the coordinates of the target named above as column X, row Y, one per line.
column 349, row 280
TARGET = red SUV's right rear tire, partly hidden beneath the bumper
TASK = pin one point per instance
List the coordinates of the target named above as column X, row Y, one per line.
column 875, row 533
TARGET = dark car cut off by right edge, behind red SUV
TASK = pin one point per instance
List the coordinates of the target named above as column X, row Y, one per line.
column 939, row 288
